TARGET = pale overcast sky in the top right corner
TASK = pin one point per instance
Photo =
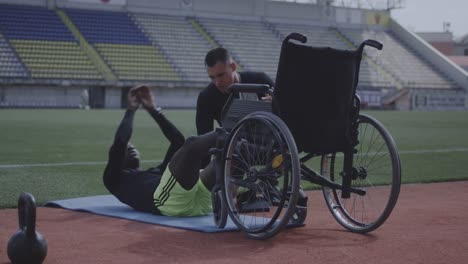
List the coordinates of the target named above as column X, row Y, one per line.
column 429, row 15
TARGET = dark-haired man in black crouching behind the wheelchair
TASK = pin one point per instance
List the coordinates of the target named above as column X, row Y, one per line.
column 222, row 72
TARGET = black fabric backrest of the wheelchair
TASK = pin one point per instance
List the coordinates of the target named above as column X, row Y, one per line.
column 314, row 94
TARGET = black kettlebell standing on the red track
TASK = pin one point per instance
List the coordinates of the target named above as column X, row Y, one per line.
column 27, row 245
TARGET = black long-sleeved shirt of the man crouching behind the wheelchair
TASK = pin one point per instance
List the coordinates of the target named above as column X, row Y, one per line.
column 211, row 101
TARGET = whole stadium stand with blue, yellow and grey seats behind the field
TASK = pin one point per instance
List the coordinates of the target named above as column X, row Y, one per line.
column 52, row 48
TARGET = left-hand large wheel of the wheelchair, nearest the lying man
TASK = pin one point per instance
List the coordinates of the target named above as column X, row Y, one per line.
column 261, row 175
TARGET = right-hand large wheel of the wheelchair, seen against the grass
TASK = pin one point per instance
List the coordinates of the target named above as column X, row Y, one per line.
column 376, row 167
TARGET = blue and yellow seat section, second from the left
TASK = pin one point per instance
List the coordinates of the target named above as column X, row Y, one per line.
column 123, row 46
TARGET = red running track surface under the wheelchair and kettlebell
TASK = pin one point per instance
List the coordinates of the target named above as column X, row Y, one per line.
column 428, row 225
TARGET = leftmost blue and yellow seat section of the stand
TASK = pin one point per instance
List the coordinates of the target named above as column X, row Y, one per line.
column 44, row 44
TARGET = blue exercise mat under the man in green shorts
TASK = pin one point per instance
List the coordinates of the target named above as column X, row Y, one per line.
column 108, row 205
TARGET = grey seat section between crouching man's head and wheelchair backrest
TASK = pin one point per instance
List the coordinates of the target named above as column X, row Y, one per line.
column 253, row 44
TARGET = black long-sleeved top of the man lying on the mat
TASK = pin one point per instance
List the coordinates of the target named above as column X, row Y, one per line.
column 132, row 186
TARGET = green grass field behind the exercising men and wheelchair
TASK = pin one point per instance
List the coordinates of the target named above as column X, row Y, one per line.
column 57, row 154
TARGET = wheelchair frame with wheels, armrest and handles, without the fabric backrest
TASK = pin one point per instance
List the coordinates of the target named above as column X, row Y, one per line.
column 258, row 168
